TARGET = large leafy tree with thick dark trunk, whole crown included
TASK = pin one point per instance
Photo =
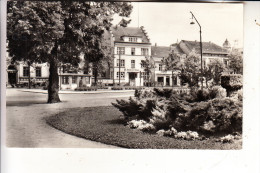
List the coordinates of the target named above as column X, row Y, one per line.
column 59, row 31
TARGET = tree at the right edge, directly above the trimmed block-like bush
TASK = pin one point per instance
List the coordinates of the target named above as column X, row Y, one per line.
column 236, row 62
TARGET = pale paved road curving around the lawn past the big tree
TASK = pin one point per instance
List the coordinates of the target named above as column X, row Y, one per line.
column 26, row 127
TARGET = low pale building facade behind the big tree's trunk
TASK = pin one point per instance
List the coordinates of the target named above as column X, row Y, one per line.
column 18, row 74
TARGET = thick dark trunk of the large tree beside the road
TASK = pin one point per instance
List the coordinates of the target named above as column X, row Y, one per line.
column 53, row 88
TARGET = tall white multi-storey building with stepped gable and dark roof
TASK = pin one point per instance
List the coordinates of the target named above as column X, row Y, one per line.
column 131, row 46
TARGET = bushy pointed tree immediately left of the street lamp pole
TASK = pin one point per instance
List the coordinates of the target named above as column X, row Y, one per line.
column 191, row 70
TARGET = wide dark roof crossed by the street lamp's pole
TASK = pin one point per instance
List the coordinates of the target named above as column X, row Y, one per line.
column 207, row 47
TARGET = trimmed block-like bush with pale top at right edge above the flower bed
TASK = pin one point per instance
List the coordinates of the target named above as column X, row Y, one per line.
column 231, row 82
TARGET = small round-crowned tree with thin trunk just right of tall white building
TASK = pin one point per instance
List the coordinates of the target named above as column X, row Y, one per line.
column 173, row 63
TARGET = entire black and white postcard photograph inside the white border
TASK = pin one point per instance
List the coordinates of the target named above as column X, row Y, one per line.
column 124, row 75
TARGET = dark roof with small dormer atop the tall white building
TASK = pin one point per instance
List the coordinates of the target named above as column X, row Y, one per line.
column 119, row 31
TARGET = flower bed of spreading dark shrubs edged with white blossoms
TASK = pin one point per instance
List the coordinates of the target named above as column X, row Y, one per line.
column 206, row 112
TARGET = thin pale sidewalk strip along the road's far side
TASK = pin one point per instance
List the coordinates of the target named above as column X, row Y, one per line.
column 76, row 92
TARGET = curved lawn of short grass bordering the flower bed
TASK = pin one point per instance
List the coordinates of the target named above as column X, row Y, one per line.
column 105, row 125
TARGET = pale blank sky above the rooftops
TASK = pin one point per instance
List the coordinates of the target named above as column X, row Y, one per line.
column 167, row 23
